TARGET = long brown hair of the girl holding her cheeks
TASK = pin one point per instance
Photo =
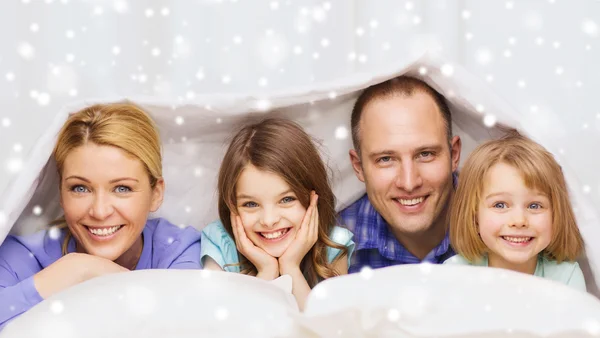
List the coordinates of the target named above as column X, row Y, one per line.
column 282, row 147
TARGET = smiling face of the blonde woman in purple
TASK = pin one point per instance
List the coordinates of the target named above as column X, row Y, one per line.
column 106, row 197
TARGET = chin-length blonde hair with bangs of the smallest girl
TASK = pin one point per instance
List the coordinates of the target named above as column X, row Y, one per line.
column 539, row 171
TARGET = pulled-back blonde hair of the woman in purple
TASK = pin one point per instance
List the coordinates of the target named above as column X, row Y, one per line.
column 121, row 125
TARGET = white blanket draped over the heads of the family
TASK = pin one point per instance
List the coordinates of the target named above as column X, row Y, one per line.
column 196, row 135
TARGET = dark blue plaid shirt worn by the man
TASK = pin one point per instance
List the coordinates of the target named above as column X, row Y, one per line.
column 376, row 245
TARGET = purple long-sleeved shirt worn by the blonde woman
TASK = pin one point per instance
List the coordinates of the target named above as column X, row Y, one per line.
column 166, row 246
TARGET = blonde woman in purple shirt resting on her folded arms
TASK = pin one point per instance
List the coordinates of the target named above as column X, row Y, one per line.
column 109, row 163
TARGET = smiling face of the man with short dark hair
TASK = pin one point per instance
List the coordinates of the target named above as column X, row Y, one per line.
column 406, row 162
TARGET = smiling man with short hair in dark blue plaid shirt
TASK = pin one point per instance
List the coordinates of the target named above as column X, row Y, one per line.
column 406, row 155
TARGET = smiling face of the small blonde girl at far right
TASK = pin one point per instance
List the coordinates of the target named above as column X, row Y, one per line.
column 515, row 222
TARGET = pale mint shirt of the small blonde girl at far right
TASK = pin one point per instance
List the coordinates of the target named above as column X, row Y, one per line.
column 568, row 273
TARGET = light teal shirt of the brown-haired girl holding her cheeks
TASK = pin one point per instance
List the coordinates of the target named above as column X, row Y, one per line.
column 218, row 245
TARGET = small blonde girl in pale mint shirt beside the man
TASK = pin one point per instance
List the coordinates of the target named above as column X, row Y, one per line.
column 512, row 210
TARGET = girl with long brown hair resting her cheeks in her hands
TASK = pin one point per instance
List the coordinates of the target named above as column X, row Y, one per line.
column 277, row 210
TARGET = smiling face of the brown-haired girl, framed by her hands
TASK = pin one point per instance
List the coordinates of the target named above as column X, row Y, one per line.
column 270, row 211
